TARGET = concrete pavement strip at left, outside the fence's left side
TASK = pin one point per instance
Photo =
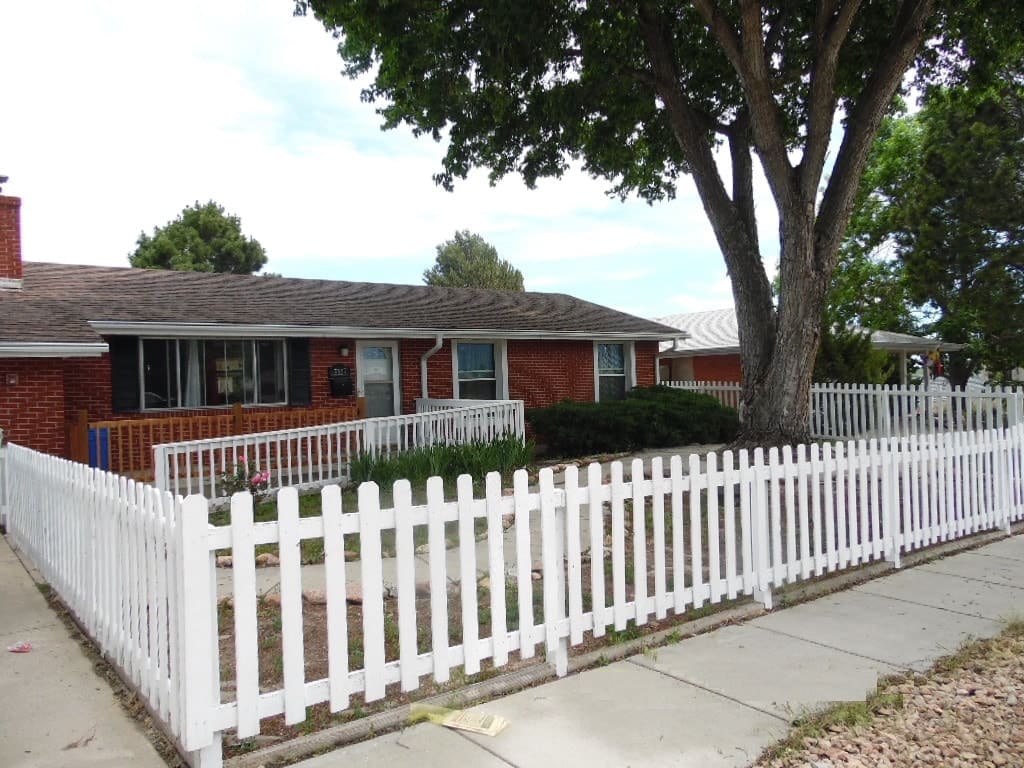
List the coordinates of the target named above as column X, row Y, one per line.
column 57, row 712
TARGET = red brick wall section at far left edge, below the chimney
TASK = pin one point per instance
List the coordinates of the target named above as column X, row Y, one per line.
column 32, row 412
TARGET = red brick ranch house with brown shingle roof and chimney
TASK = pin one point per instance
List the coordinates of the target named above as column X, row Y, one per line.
column 125, row 344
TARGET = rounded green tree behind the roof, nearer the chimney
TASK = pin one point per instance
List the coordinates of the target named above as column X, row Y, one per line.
column 202, row 239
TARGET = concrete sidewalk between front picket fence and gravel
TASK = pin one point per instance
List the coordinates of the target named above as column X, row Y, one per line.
column 719, row 699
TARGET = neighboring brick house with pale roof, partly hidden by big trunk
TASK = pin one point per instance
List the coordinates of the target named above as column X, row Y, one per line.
column 711, row 350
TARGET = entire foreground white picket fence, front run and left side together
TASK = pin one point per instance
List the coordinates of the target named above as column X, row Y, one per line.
column 137, row 566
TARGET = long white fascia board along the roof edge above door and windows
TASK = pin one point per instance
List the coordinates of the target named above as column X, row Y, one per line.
column 217, row 330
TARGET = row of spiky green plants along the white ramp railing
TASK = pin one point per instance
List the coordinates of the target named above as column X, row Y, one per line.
column 504, row 455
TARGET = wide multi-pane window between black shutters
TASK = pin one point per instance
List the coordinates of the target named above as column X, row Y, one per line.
column 197, row 373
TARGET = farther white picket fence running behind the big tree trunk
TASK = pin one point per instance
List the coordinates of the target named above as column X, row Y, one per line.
column 854, row 411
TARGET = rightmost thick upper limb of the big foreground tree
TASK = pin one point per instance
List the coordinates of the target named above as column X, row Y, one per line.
column 863, row 125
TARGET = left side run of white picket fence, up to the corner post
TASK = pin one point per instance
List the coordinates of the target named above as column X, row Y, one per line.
column 111, row 548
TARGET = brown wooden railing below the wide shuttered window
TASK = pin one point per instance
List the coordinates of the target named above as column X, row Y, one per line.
column 125, row 446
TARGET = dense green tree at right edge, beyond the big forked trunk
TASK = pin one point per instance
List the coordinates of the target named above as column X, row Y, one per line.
column 941, row 214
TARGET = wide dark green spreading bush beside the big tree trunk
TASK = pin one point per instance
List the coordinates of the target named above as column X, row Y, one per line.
column 650, row 417
